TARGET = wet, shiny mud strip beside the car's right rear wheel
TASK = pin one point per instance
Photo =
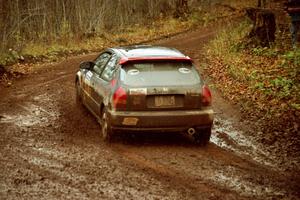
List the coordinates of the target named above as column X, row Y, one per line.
column 226, row 136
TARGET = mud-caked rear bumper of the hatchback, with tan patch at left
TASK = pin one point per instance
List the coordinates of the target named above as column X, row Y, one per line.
column 159, row 121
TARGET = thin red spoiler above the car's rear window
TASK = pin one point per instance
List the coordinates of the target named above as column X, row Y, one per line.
column 125, row 60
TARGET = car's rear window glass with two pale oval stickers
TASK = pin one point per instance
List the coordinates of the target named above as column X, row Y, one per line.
column 159, row 74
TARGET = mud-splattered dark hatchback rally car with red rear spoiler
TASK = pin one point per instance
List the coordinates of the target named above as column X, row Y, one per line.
column 145, row 89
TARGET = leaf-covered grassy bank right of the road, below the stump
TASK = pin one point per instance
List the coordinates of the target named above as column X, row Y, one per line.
column 265, row 82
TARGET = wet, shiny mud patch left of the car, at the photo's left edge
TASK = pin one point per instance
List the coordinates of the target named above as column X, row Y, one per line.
column 30, row 114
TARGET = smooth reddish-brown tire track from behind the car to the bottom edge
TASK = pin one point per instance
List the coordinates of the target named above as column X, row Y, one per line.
column 197, row 185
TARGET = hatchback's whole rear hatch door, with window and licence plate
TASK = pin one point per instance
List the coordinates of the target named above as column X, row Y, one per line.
column 161, row 85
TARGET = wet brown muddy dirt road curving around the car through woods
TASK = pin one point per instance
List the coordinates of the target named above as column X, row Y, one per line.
column 52, row 149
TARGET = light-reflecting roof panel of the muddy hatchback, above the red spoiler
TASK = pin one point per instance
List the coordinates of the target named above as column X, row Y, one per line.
column 148, row 51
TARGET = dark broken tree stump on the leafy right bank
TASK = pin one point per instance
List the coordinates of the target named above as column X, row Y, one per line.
column 264, row 26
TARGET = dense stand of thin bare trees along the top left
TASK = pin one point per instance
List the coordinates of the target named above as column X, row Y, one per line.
column 31, row 20
